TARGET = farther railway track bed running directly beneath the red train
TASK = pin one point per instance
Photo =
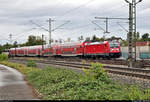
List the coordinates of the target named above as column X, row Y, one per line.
column 141, row 63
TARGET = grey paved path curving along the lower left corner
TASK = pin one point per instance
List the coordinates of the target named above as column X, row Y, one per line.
column 13, row 86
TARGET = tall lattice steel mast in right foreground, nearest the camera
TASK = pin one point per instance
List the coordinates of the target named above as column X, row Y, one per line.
column 132, row 32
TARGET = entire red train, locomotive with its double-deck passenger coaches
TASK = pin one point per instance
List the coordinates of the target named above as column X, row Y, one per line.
column 105, row 49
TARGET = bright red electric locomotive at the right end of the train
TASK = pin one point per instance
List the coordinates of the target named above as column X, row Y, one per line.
column 102, row 49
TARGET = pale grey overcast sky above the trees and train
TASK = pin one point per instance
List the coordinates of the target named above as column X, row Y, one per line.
column 15, row 17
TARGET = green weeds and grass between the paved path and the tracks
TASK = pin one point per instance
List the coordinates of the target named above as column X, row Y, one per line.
column 63, row 84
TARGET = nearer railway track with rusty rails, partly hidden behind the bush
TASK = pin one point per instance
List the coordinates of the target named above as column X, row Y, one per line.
column 119, row 70
